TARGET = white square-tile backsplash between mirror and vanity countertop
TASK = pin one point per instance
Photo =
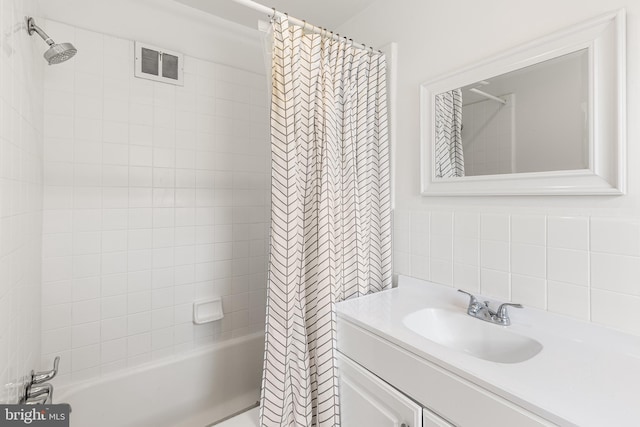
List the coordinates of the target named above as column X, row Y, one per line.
column 586, row 267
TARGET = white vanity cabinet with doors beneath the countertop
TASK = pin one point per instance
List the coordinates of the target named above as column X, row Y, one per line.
column 378, row 376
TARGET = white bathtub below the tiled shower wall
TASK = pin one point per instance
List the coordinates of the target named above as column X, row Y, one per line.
column 194, row 390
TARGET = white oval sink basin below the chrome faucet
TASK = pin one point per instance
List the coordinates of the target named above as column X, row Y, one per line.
column 475, row 337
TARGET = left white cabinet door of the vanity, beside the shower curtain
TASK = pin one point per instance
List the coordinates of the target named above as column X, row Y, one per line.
column 366, row 400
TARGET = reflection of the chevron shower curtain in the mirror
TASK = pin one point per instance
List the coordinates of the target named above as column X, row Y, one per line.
column 449, row 158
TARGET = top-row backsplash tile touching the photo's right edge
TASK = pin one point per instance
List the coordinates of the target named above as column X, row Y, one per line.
column 615, row 236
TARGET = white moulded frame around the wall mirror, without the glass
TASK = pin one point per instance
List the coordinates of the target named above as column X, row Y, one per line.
column 604, row 38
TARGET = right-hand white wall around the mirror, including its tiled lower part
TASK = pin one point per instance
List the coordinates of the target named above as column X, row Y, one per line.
column 578, row 256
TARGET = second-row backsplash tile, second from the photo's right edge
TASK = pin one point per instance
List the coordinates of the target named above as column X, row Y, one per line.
column 565, row 265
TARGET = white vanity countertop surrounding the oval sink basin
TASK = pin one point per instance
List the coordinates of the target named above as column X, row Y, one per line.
column 586, row 375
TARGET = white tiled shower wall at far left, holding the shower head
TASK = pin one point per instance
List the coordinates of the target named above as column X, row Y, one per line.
column 21, row 68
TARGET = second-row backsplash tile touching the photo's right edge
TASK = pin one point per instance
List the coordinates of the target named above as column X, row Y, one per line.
column 616, row 273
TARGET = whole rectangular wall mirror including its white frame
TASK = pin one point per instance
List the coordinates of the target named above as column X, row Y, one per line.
column 545, row 118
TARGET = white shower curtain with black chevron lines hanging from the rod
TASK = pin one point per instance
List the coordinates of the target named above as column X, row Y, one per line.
column 331, row 209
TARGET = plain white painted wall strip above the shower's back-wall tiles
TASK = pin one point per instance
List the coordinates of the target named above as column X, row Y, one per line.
column 165, row 23
